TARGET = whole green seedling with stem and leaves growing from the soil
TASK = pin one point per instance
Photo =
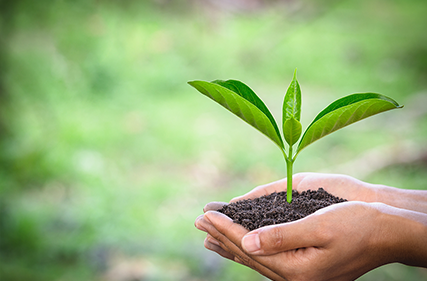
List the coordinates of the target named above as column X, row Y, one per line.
column 243, row 102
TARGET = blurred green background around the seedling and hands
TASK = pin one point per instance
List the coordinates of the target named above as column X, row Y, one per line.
column 107, row 156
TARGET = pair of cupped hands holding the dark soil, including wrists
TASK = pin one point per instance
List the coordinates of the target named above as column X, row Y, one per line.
column 379, row 225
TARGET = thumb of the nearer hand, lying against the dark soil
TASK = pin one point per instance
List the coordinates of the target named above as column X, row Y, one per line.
column 273, row 239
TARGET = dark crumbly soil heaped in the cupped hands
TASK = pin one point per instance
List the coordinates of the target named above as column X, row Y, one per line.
column 274, row 209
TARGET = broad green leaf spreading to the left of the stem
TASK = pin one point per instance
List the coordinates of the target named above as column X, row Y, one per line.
column 243, row 102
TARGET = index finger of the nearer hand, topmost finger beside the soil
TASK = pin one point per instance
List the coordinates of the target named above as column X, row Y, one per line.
column 229, row 235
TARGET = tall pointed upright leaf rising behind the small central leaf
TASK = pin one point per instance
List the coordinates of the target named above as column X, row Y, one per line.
column 292, row 101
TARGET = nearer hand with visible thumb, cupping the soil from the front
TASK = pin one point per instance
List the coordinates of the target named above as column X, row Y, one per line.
column 339, row 242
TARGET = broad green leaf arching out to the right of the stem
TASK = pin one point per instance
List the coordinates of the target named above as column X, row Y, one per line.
column 343, row 112
